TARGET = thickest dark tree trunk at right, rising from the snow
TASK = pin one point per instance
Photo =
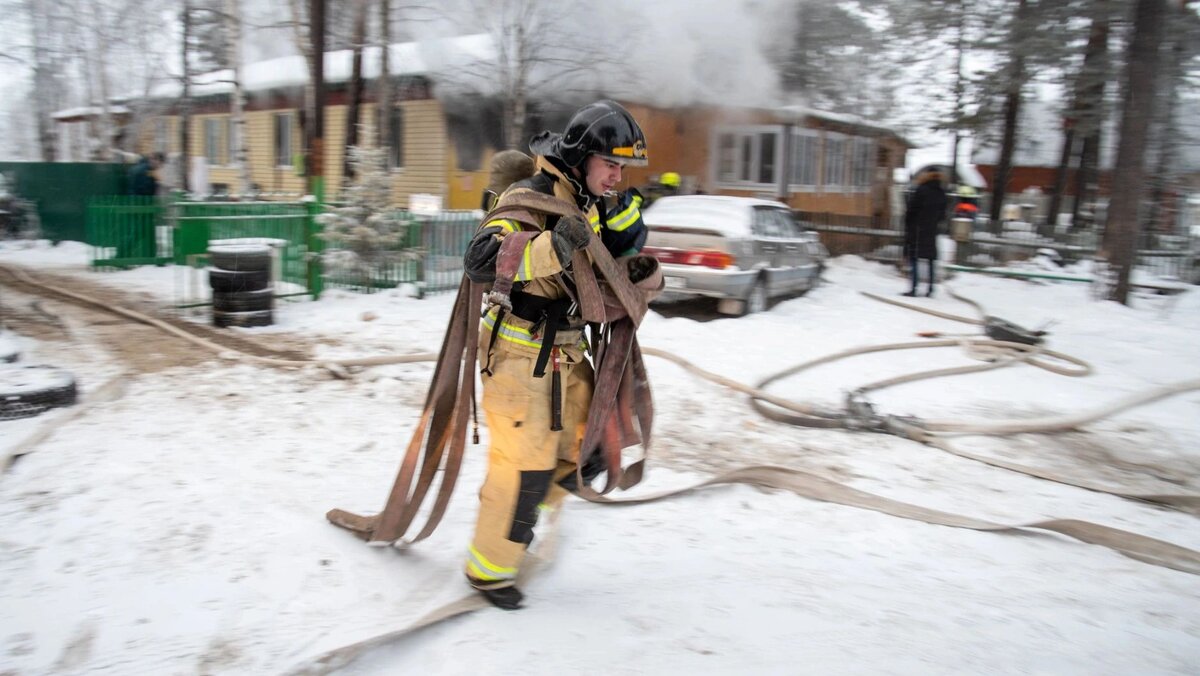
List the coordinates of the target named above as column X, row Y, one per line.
column 1121, row 234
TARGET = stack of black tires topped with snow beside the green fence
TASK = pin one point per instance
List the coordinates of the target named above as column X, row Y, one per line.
column 241, row 277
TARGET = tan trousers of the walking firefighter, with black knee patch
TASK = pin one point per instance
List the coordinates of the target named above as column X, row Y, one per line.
column 526, row 459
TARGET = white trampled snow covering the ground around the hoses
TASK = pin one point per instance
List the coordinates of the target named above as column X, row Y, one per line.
column 179, row 527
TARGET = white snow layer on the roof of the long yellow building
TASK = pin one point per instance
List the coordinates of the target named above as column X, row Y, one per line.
column 406, row 58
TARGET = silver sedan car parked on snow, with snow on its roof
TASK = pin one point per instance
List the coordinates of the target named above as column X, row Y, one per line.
column 740, row 250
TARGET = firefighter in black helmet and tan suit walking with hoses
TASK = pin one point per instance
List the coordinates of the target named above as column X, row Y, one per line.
column 532, row 465
